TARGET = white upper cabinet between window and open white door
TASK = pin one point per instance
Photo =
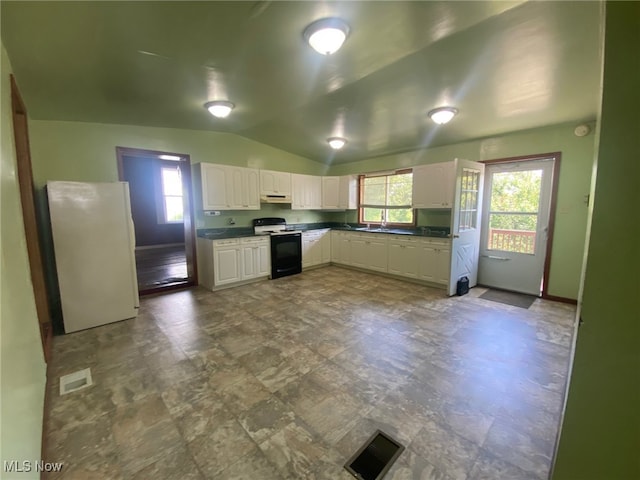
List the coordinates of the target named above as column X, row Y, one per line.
column 433, row 185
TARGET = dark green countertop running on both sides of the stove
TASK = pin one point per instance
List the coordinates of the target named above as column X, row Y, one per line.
column 239, row 232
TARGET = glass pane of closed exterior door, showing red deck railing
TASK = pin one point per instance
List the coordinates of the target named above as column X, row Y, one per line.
column 513, row 211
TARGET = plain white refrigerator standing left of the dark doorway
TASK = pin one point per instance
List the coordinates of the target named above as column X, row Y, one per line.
column 94, row 244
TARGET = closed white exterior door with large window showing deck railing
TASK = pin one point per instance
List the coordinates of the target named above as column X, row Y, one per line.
column 515, row 225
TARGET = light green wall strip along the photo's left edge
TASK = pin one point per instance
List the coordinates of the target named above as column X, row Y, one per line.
column 23, row 371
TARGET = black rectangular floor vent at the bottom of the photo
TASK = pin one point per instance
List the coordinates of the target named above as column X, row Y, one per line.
column 374, row 459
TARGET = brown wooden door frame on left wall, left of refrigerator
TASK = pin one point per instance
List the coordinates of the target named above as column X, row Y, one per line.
column 27, row 192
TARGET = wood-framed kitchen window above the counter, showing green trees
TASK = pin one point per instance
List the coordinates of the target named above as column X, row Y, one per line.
column 386, row 198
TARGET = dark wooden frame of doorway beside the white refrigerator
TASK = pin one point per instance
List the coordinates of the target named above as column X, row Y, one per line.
column 189, row 214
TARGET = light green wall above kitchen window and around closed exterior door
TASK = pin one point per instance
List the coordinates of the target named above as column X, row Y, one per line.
column 574, row 184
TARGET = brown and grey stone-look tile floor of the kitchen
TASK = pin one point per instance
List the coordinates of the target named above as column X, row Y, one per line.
column 285, row 379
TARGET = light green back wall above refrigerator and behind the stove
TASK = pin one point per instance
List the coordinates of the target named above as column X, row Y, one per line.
column 85, row 152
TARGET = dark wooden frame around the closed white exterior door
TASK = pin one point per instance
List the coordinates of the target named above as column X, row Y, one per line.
column 553, row 201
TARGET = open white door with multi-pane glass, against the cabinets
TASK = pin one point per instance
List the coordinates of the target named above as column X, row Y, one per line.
column 465, row 223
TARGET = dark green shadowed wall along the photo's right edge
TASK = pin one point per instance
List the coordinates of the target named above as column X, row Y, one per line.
column 600, row 438
